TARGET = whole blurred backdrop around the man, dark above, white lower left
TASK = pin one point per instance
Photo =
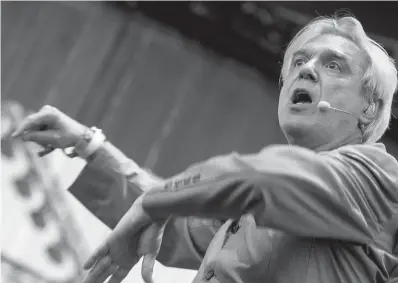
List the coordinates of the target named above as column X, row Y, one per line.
column 170, row 83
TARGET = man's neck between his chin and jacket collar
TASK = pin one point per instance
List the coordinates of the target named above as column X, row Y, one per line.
column 316, row 144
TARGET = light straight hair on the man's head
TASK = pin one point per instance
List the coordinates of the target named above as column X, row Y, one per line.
column 380, row 77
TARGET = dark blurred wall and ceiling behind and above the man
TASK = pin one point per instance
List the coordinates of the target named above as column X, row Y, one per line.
column 170, row 83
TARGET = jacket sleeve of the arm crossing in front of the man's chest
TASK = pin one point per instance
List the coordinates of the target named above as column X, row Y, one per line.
column 344, row 195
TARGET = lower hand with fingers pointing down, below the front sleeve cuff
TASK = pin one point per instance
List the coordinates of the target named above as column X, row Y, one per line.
column 133, row 236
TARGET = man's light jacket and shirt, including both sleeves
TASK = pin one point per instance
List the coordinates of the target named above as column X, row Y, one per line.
column 286, row 214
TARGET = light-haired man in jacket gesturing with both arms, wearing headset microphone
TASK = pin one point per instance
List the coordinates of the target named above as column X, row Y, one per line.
column 323, row 209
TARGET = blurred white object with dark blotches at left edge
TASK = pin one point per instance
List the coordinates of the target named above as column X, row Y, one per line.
column 40, row 240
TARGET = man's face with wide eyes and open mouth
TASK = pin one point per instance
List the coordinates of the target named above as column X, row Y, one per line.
column 328, row 68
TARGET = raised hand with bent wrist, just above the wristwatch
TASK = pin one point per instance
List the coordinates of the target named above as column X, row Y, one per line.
column 50, row 128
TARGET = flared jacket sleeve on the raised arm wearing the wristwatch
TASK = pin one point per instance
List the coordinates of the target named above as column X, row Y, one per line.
column 102, row 186
